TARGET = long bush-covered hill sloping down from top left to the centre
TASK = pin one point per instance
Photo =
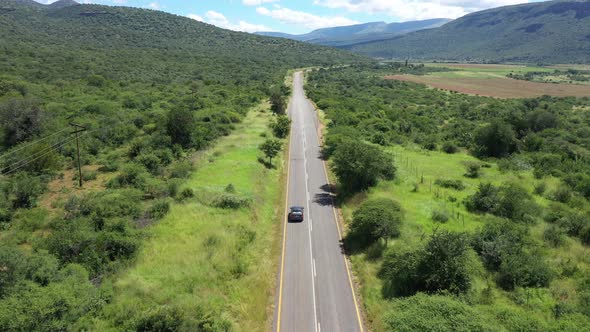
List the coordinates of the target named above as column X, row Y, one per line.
column 47, row 42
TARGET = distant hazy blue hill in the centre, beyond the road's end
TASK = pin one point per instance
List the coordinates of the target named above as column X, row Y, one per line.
column 353, row 34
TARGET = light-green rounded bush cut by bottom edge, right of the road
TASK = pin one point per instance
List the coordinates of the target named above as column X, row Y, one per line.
column 434, row 313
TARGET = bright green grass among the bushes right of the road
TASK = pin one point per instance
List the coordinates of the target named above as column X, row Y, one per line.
column 418, row 226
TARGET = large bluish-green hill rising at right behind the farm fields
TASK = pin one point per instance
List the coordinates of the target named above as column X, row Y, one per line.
column 545, row 32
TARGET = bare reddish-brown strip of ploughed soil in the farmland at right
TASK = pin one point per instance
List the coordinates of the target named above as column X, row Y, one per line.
column 498, row 87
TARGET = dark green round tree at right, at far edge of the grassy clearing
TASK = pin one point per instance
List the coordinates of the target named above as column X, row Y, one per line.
column 497, row 139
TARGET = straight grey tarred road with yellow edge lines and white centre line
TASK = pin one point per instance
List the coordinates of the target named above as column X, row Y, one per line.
column 315, row 289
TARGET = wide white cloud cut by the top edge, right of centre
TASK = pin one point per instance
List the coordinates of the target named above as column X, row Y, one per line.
column 416, row 9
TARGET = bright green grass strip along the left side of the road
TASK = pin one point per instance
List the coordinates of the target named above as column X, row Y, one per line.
column 205, row 258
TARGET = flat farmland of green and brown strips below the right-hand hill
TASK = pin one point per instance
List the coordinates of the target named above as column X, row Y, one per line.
column 491, row 81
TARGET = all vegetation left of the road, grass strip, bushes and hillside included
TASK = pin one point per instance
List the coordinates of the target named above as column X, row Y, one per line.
column 159, row 191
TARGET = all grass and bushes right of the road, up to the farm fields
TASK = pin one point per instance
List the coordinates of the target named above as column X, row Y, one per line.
column 491, row 210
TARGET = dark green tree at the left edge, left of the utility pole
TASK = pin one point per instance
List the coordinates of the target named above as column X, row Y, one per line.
column 20, row 120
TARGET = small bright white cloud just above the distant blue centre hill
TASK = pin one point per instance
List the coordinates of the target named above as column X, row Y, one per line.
column 307, row 20
